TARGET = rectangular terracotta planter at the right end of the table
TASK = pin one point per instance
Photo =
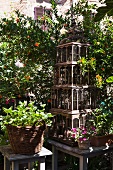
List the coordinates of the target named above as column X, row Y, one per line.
column 101, row 140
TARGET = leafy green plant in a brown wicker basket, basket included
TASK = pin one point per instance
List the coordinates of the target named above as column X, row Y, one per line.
column 25, row 127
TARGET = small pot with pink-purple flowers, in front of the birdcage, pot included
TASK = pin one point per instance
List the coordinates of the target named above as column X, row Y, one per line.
column 82, row 136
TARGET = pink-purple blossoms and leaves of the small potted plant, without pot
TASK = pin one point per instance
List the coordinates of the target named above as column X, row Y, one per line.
column 83, row 133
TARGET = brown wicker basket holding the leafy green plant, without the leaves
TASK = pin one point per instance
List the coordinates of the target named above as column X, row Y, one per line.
column 26, row 140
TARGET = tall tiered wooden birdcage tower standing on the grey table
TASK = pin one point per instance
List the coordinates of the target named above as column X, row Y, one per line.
column 73, row 94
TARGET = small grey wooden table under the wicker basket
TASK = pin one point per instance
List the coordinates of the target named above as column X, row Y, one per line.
column 13, row 160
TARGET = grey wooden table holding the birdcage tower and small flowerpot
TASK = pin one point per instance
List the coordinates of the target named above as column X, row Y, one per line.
column 83, row 155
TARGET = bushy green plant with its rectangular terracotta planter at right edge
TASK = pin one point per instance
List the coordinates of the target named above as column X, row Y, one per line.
column 102, row 119
